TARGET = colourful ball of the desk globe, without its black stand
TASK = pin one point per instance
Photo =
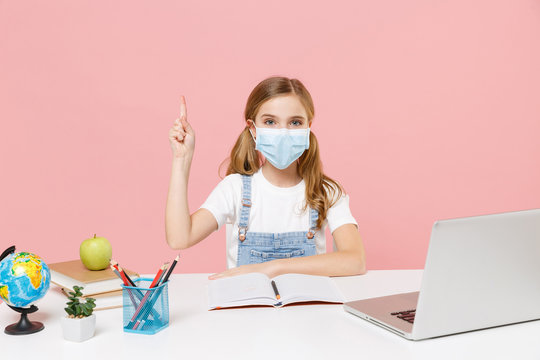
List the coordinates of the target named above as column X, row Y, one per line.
column 24, row 279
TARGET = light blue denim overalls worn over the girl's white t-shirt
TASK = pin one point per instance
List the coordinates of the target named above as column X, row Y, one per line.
column 258, row 247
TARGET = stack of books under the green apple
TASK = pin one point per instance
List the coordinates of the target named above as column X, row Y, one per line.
column 102, row 285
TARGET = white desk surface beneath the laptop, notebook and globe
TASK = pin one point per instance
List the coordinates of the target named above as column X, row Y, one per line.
column 310, row 331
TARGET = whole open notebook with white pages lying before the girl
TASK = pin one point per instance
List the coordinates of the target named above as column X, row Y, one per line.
column 257, row 289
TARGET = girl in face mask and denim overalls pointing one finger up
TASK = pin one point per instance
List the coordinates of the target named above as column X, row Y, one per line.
column 275, row 198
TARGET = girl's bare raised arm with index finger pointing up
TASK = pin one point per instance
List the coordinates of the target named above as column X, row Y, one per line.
column 182, row 229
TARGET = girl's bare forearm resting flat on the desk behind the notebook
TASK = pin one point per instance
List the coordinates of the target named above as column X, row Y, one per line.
column 349, row 259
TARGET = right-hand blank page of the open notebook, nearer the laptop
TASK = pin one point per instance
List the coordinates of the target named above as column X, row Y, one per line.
column 300, row 287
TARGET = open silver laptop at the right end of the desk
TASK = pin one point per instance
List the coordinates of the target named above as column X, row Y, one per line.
column 480, row 272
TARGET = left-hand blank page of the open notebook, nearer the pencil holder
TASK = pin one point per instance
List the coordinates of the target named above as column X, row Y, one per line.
column 252, row 288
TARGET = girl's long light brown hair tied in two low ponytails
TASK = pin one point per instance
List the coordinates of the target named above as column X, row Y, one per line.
column 321, row 191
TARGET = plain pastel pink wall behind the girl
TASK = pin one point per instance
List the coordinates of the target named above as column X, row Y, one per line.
column 424, row 110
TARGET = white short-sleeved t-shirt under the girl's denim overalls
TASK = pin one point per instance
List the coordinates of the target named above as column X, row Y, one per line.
column 274, row 210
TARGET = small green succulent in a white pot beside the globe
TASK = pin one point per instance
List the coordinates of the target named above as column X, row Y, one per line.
column 80, row 323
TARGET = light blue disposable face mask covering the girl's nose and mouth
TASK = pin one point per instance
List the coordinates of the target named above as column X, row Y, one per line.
column 281, row 146
